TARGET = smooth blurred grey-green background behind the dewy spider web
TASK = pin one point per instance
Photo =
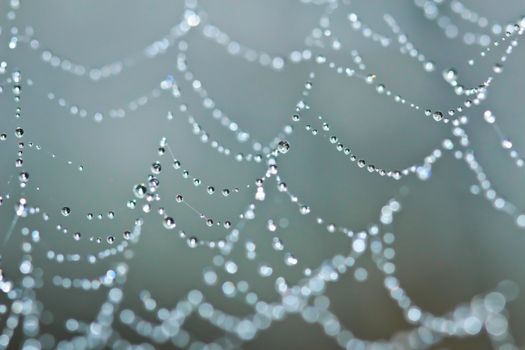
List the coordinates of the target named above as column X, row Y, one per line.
column 451, row 245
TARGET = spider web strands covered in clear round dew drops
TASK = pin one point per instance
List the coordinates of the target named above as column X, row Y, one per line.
column 486, row 312
